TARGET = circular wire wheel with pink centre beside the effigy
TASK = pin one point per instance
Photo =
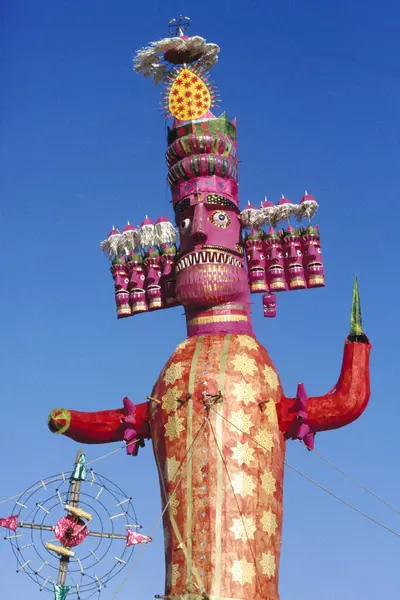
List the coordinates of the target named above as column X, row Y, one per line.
column 73, row 532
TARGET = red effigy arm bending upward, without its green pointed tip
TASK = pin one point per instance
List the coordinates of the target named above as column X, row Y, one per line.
column 303, row 415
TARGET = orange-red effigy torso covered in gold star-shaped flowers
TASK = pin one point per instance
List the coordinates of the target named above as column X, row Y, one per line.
column 219, row 453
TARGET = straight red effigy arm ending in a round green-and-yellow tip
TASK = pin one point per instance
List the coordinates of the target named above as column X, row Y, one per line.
column 129, row 424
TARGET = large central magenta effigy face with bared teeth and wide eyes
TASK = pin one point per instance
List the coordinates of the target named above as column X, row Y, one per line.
column 210, row 268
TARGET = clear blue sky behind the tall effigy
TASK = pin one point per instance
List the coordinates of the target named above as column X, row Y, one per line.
column 316, row 90
